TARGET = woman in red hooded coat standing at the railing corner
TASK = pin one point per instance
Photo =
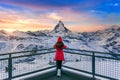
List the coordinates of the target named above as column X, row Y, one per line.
column 59, row 56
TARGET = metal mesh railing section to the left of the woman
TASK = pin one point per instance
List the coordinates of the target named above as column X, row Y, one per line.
column 22, row 63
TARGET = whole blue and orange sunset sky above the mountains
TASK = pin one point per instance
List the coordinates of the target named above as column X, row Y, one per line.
column 77, row 15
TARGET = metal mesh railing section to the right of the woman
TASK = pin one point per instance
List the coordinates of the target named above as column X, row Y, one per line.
column 95, row 64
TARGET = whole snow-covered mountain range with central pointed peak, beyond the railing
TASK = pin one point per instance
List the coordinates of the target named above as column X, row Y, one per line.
column 107, row 40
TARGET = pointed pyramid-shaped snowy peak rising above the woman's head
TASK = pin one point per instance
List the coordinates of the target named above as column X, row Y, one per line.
column 60, row 28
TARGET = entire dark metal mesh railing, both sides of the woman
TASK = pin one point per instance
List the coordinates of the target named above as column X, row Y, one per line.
column 95, row 64
